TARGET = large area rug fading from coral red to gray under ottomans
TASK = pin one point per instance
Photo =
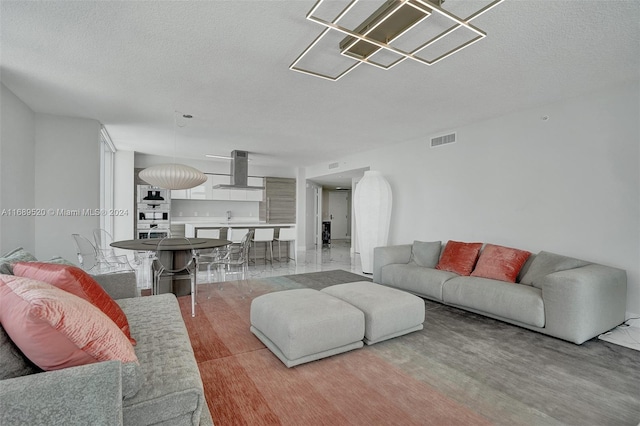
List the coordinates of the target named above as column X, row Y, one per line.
column 462, row 369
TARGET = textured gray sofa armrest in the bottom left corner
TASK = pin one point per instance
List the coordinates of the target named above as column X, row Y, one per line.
column 88, row 394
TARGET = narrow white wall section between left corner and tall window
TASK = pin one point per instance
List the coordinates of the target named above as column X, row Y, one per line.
column 67, row 163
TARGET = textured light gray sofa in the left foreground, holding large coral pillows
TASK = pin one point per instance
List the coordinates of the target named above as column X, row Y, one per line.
column 171, row 391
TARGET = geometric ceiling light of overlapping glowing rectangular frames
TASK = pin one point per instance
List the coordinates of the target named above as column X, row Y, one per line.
column 383, row 37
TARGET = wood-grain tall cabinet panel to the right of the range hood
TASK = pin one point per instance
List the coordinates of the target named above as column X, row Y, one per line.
column 279, row 203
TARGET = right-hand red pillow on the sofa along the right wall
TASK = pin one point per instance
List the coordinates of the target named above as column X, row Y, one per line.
column 500, row 263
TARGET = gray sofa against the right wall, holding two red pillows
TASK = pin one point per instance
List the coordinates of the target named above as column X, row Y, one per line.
column 557, row 295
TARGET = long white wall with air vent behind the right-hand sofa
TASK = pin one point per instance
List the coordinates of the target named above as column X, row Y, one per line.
column 570, row 184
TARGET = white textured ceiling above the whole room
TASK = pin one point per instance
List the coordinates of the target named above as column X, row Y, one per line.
column 131, row 64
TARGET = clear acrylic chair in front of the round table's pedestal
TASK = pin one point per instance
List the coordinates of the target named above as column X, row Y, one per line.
column 165, row 259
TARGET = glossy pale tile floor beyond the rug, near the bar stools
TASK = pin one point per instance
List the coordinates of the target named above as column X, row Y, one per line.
column 336, row 256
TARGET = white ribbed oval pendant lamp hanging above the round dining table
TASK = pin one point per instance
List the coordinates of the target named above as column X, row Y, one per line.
column 174, row 175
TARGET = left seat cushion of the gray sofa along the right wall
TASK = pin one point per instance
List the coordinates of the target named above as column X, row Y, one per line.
column 425, row 282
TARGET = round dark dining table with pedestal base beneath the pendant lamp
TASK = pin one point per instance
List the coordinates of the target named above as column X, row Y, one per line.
column 173, row 253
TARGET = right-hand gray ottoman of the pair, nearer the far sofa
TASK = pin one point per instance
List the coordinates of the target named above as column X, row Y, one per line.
column 388, row 312
